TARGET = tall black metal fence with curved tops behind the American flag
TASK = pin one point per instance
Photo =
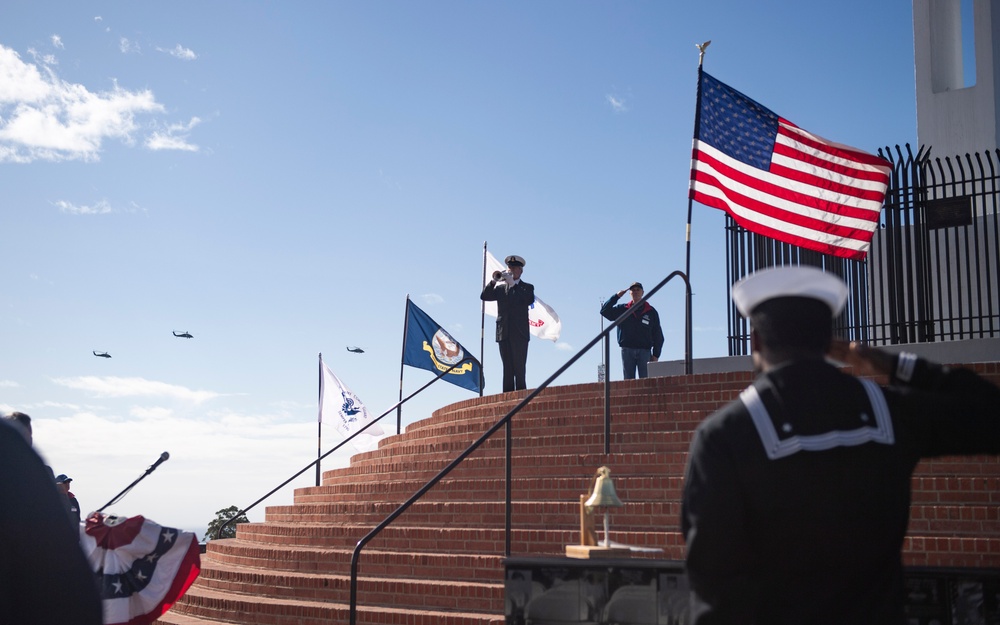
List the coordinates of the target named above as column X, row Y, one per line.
column 933, row 270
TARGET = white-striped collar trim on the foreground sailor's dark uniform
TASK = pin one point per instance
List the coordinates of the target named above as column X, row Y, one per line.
column 776, row 447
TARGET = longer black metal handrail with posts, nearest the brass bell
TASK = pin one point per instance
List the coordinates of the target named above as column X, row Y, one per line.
column 505, row 421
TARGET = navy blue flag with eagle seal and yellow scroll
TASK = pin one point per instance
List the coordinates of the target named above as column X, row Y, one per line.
column 426, row 345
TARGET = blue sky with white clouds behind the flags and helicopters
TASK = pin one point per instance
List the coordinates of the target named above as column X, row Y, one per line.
column 276, row 178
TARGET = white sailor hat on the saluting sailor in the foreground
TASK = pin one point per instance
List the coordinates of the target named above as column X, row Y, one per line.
column 793, row 281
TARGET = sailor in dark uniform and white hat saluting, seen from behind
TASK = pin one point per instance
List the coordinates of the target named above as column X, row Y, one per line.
column 797, row 495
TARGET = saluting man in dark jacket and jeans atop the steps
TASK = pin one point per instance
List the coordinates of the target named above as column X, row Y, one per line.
column 639, row 335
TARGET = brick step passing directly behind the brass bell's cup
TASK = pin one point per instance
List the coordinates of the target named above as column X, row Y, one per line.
column 536, row 488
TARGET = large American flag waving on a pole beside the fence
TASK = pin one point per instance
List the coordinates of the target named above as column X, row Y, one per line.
column 780, row 181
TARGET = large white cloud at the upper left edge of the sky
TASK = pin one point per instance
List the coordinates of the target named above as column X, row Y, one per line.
column 45, row 118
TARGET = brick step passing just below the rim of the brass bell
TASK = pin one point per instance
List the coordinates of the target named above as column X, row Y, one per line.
column 526, row 514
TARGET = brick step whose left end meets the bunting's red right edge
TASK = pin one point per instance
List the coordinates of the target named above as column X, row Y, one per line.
column 400, row 593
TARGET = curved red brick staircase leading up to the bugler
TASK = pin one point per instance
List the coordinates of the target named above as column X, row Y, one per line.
column 441, row 562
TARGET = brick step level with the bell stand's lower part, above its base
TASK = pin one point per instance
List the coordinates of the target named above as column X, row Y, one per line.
column 434, row 539
